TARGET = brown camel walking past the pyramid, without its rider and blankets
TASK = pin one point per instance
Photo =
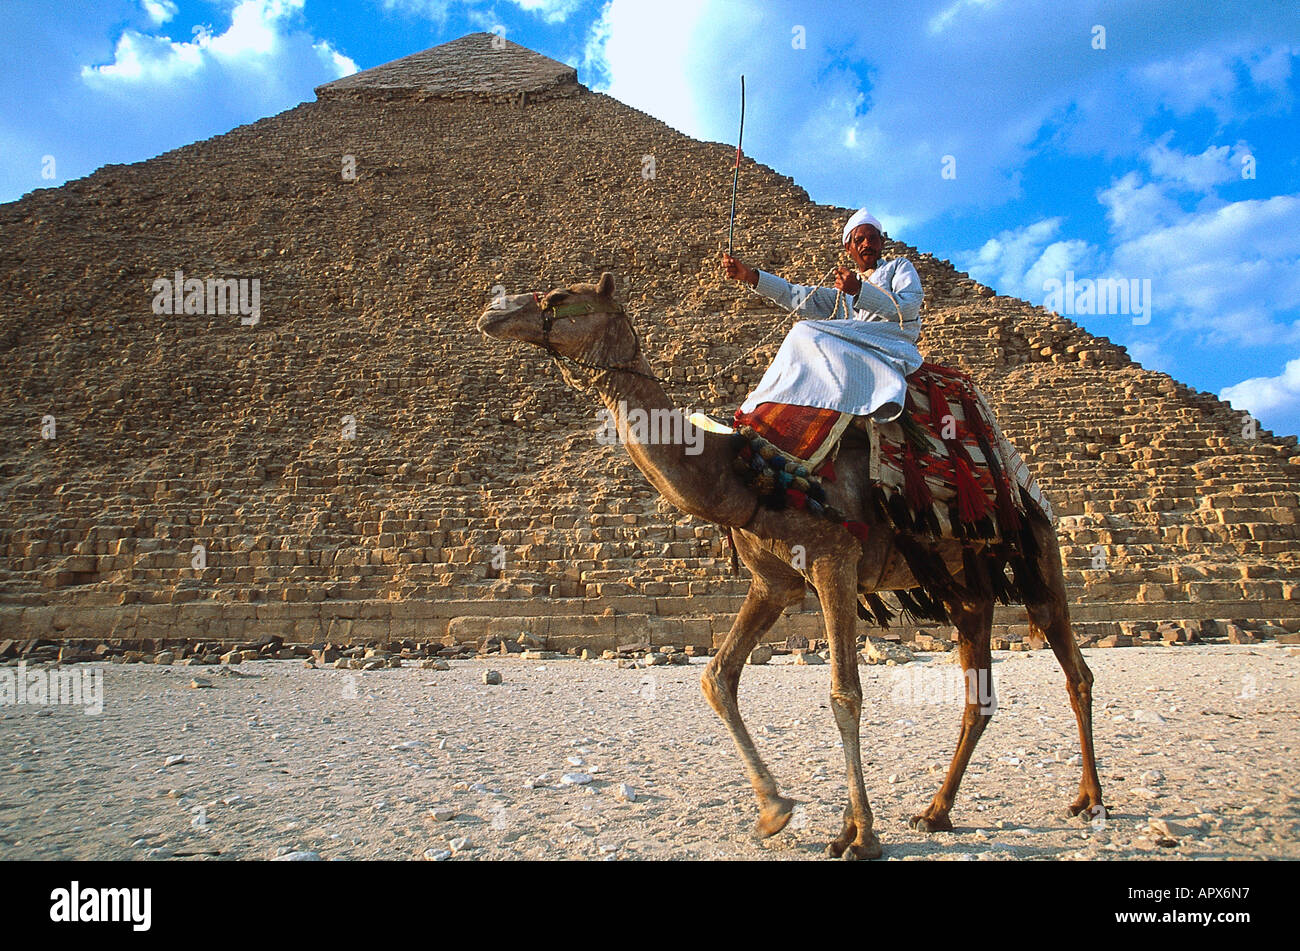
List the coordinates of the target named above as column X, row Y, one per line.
column 599, row 349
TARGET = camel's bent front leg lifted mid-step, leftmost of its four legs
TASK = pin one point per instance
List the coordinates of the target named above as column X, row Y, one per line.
column 774, row 588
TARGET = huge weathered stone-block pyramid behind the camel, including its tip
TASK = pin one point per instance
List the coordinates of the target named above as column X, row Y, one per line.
column 357, row 462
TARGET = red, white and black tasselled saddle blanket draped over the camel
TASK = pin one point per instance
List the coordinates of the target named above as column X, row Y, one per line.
column 942, row 471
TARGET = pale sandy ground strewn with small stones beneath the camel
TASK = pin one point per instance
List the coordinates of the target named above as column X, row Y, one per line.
column 344, row 765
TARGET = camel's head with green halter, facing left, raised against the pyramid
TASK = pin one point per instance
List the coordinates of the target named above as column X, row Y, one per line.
column 580, row 322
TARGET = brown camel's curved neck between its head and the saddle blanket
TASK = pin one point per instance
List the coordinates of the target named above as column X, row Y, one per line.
column 690, row 467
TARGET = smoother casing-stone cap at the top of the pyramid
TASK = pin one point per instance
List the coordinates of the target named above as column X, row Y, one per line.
column 475, row 66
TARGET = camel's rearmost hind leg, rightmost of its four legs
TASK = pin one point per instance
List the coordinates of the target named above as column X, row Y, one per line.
column 1051, row 619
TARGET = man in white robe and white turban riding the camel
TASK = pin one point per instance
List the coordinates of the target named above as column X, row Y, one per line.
column 861, row 342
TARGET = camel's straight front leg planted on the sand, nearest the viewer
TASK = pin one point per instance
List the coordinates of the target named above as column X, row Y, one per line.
column 838, row 588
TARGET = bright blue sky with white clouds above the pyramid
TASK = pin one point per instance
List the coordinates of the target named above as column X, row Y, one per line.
column 1026, row 141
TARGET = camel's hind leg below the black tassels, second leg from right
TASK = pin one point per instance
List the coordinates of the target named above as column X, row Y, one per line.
column 974, row 628
